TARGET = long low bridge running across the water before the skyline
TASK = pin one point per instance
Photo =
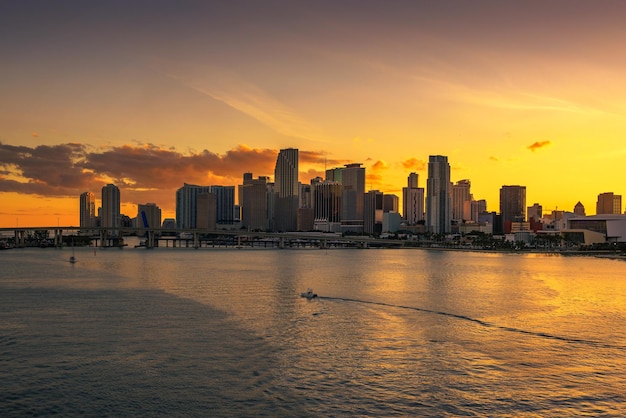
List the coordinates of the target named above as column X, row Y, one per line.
column 111, row 237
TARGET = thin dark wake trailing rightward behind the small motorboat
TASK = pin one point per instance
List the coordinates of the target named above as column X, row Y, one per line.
column 483, row 323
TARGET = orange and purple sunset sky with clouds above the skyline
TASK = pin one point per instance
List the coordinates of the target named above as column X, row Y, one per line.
column 150, row 95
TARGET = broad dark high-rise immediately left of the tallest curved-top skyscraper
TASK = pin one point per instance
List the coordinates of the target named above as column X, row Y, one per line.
column 254, row 202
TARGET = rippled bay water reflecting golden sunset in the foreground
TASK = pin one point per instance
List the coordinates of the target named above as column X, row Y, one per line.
column 223, row 332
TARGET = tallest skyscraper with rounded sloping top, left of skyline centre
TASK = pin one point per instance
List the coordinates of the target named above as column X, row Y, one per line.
column 286, row 190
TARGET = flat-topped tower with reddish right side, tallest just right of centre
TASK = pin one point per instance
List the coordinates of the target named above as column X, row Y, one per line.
column 352, row 197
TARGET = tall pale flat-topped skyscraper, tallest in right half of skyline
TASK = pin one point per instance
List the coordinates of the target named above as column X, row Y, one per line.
column 438, row 201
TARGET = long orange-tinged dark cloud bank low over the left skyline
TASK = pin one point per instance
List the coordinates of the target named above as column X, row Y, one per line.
column 143, row 172
